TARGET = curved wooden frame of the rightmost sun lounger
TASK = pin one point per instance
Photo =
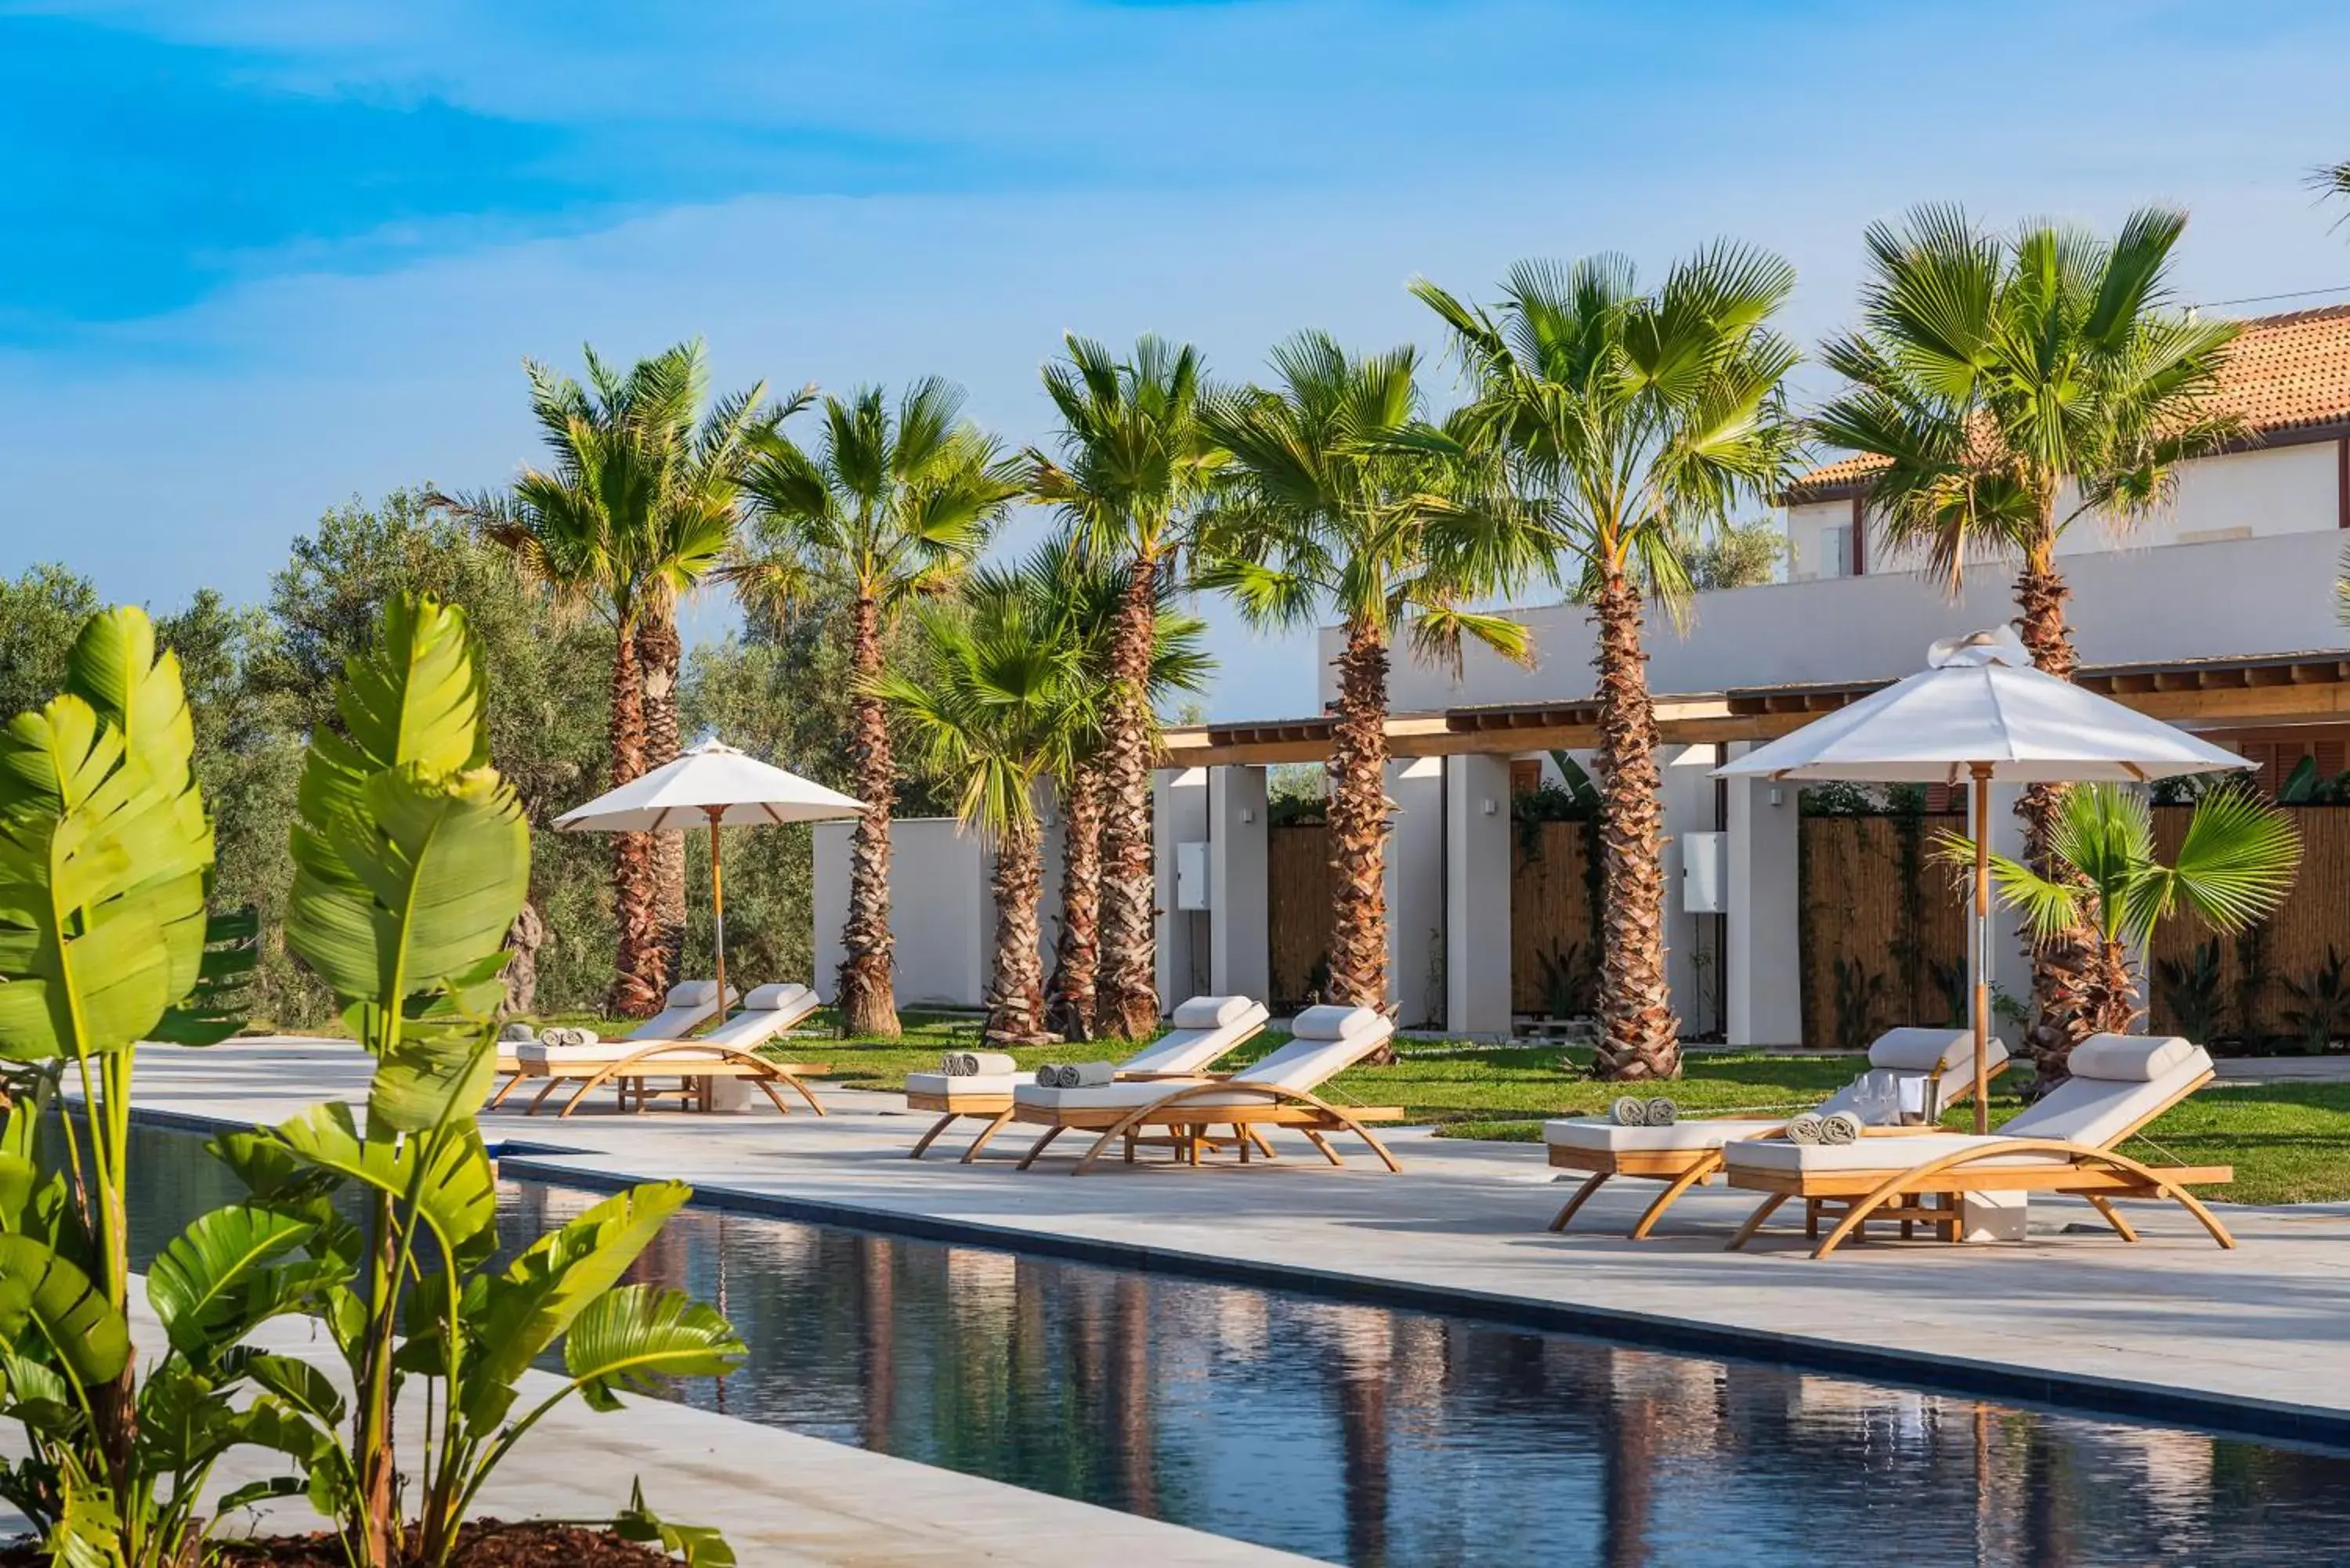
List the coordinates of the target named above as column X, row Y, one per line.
column 1928, row 1193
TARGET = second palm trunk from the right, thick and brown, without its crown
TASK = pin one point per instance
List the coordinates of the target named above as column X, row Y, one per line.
column 1639, row 1033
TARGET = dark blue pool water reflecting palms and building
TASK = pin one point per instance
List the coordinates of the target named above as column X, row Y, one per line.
column 1378, row 1438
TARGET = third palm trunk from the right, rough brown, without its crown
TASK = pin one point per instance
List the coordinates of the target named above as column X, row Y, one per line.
column 1359, row 824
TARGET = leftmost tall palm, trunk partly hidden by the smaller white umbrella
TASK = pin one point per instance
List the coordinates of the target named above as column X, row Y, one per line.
column 636, row 509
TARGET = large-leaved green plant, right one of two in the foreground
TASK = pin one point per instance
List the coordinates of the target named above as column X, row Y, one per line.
column 412, row 859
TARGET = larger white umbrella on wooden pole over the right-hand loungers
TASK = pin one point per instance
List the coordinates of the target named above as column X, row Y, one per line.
column 1980, row 713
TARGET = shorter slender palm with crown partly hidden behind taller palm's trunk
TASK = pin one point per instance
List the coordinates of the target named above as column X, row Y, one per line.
column 1082, row 596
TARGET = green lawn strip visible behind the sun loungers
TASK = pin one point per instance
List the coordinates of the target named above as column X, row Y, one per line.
column 2290, row 1144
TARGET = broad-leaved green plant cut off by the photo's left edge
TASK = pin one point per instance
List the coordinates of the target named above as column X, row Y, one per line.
column 105, row 942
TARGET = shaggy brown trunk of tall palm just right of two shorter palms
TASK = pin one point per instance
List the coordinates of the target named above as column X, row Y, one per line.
column 1129, row 981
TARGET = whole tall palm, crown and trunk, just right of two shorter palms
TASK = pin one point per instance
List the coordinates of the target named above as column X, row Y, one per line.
column 1132, row 469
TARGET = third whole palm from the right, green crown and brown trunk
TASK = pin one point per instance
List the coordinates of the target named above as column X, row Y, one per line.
column 1341, row 495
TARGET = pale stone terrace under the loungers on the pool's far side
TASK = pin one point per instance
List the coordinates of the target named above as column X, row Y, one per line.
column 2255, row 1339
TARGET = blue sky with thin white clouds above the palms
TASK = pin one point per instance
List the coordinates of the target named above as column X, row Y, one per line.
column 260, row 257
